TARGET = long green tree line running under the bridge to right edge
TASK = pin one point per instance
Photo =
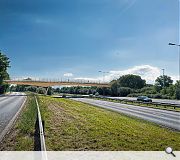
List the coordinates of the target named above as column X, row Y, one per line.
column 127, row 85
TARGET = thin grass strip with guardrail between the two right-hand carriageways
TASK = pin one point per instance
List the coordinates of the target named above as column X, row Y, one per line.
column 169, row 108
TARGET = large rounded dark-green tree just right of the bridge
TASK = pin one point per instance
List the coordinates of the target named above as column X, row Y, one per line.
column 131, row 81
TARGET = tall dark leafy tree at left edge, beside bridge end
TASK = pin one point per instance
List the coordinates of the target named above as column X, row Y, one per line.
column 4, row 64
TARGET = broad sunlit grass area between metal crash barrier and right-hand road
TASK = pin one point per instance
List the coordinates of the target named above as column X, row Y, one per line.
column 72, row 125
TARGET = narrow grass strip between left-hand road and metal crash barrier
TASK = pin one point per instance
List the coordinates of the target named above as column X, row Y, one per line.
column 21, row 136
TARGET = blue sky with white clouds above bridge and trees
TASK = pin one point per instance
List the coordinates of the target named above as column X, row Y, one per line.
column 75, row 39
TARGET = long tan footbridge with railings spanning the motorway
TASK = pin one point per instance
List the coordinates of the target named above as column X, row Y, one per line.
column 49, row 83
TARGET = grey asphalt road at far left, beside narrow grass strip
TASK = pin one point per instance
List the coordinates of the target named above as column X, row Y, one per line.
column 10, row 105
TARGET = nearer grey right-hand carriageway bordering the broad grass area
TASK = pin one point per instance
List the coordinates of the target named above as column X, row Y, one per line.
column 166, row 118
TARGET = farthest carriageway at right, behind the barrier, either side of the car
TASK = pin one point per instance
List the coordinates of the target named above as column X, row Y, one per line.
column 154, row 100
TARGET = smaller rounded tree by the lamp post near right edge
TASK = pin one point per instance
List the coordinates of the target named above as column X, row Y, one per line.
column 163, row 81
